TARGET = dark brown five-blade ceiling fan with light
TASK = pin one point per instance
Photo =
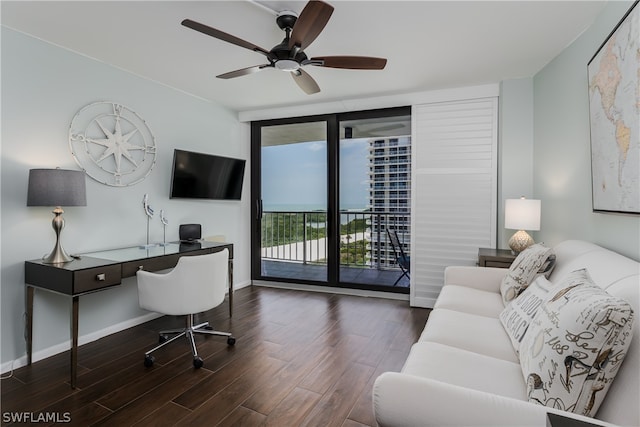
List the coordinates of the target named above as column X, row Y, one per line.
column 289, row 55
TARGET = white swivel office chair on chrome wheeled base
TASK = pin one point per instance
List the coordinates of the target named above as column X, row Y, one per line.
column 197, row 283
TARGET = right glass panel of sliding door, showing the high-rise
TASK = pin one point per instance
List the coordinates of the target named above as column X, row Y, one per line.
column 375, row 198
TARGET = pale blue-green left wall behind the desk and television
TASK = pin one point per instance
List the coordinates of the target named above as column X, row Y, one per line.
column 43, row 86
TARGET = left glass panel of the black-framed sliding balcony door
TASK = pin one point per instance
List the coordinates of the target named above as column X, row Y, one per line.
column 293, row 210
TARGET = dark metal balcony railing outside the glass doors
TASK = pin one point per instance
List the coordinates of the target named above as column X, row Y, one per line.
column 301, row 236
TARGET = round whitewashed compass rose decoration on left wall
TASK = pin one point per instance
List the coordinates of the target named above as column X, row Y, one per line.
column 112, row 143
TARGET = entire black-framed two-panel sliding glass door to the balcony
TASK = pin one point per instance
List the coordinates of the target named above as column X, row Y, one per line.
column 325, row 195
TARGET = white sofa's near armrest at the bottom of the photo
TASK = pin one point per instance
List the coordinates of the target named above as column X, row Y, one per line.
column 401, row 400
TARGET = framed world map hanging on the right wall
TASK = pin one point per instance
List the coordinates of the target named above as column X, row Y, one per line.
column 614, row 114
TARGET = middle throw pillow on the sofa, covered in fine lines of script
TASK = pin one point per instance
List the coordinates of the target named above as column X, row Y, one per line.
column 517, row 316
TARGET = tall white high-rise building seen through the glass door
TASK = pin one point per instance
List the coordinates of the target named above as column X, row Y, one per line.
column 389, row 196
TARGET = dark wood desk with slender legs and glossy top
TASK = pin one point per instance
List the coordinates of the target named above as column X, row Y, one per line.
column 98, row 271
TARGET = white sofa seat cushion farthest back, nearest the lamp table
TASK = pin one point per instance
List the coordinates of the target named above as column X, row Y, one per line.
column 470, row 300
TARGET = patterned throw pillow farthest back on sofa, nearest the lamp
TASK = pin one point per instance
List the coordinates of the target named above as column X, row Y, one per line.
column 536, row 259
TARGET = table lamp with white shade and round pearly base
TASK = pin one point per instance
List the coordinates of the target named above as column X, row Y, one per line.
column 521, row 214
